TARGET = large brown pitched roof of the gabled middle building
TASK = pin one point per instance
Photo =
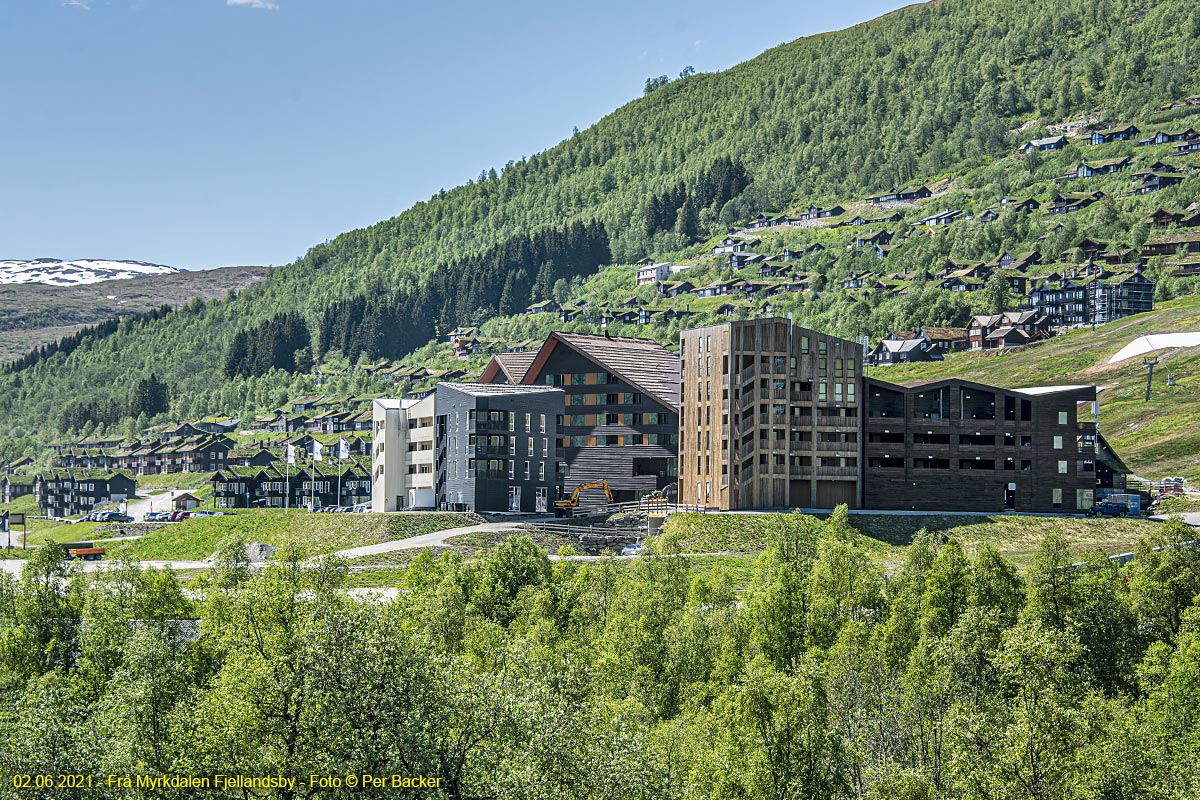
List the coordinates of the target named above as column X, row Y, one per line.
column 643, row 363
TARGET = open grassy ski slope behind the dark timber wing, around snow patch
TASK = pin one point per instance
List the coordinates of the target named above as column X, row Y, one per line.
column 1156, row 440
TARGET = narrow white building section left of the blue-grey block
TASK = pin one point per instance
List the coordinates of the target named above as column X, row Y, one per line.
column 403, row 459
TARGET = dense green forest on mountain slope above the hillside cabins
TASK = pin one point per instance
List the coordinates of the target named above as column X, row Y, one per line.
column 926, row 93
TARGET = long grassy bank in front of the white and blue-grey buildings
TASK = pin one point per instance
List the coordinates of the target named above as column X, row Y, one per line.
column 317, row 533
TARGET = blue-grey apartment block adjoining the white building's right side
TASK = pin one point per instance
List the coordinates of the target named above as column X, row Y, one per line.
column 497, row 447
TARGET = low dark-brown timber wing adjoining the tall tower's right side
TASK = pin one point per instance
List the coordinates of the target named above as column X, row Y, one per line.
column 957, row 446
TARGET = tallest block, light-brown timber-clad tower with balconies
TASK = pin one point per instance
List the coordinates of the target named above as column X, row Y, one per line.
column 770, row 418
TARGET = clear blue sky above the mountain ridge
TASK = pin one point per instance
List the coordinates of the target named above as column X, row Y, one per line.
column 203, row 134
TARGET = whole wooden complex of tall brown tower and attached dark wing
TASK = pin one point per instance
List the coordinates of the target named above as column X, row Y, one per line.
column 777, row 417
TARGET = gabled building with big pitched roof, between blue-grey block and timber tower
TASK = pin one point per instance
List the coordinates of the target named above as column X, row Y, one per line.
column 622, row 417
